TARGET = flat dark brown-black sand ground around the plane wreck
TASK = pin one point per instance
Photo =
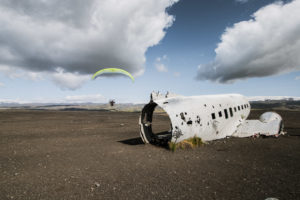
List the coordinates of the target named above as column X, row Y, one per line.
column 98, row 155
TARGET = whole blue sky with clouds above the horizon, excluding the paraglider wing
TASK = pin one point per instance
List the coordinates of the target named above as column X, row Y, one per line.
column 50, row 49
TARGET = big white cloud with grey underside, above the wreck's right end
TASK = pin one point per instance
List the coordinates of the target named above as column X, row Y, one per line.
column 266, row 45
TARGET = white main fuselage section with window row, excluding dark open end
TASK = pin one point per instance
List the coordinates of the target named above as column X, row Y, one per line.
column 208, row 117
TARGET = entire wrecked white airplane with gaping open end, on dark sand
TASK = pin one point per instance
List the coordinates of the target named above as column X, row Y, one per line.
column 208, row 117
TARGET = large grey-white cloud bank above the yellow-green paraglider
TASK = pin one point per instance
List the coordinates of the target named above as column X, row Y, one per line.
column 80, row 36
